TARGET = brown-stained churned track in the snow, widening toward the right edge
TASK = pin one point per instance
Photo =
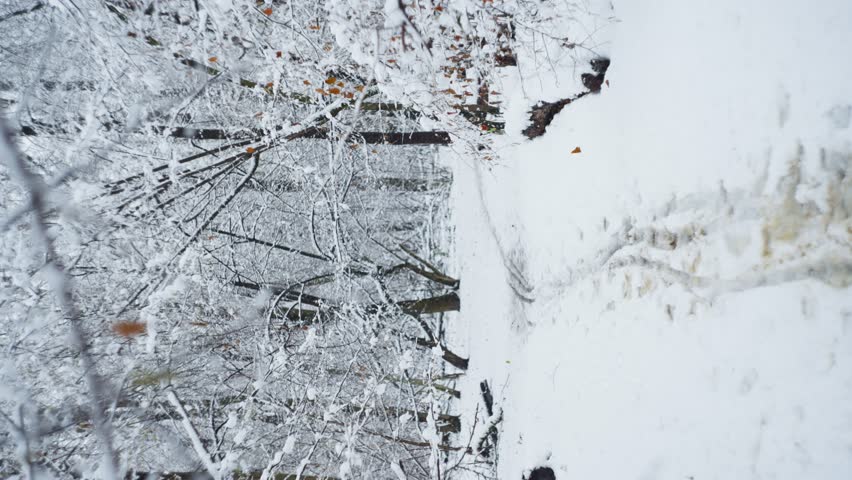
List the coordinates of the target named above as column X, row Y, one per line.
column 715, row 215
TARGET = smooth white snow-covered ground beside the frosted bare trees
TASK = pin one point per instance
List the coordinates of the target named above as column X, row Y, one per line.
column 674, row 301
